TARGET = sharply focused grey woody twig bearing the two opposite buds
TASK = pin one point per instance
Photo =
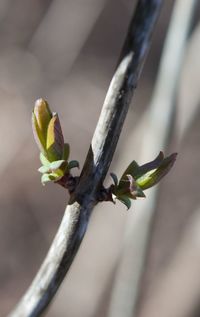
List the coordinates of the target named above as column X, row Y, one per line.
column 76, row 217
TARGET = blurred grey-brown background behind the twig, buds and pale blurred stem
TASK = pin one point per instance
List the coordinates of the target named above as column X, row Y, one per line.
column 66, row 51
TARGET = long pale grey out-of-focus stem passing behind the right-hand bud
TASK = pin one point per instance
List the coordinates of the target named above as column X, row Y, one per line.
column 158, row 126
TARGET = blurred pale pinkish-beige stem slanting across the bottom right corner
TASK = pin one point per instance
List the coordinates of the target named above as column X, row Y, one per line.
column 177, row 291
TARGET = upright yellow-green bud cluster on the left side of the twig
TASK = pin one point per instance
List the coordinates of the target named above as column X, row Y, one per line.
column 49, row 138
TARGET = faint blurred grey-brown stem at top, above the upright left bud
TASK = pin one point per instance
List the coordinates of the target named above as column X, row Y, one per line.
column 64, row 49
